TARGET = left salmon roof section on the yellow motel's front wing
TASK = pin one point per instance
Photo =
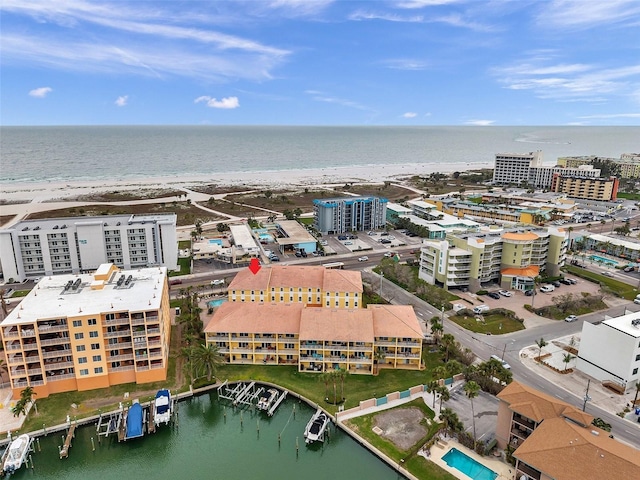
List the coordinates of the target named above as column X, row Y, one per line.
column 238, row 317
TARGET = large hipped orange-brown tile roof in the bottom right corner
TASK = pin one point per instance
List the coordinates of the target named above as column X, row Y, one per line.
column 563, row 450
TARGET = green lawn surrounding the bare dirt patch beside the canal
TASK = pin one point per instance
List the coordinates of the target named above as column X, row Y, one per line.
column 417, row 465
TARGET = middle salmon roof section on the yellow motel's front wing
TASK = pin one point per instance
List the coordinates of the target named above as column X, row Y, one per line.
column 337, row 325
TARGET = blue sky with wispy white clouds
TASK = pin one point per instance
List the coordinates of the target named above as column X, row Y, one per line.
column 323, row 62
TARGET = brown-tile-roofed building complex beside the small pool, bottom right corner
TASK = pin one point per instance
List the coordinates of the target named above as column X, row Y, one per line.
column 552, row 440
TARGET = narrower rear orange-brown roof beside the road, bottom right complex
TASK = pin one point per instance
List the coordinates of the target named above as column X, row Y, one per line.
column 539, row 406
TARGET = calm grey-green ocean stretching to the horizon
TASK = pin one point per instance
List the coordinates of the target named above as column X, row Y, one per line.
column 32, row 154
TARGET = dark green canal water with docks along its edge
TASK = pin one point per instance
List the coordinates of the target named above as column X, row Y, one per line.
column 212, row 441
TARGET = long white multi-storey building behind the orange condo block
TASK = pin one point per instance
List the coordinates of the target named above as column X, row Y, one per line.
column 33, row 248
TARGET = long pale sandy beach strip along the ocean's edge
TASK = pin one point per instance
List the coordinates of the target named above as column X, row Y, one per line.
column 41, row 191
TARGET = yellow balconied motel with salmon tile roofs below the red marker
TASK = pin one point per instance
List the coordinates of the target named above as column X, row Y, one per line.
column 312, row 317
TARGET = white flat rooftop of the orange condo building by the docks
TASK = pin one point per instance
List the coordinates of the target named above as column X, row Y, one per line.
column 50, row 300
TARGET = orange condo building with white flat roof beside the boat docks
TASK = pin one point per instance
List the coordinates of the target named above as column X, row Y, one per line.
column 87, row 331
